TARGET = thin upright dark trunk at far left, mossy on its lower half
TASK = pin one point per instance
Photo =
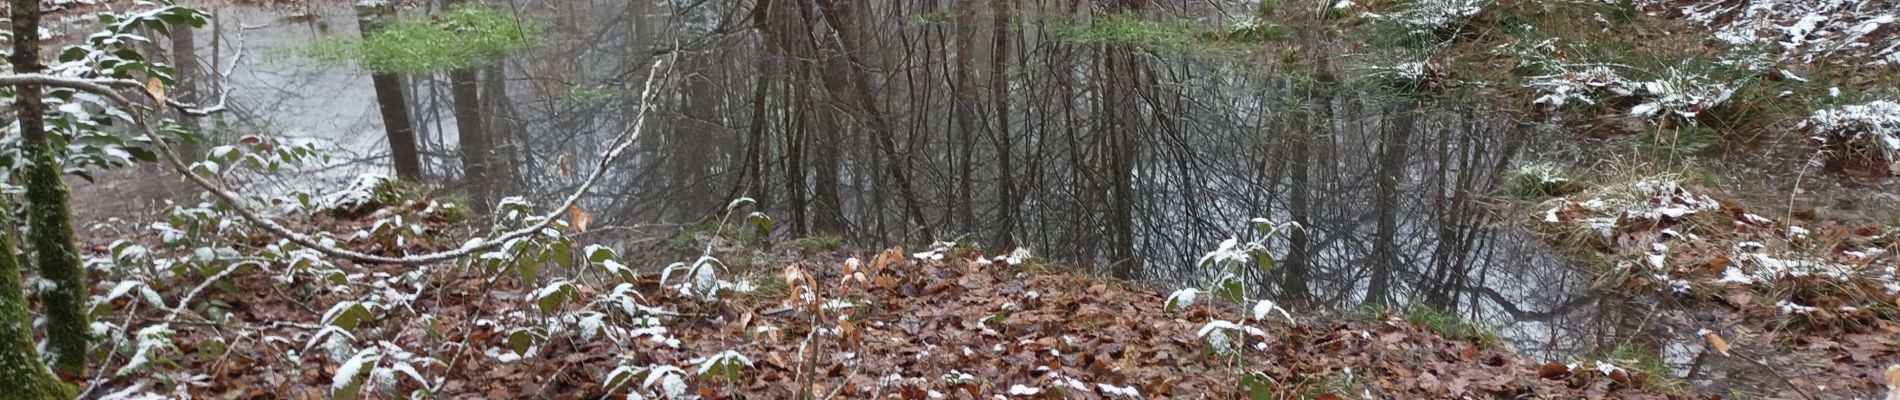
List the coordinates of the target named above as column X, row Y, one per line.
column 67, row 323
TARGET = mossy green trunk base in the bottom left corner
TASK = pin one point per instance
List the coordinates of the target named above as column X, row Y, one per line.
column 24, row 376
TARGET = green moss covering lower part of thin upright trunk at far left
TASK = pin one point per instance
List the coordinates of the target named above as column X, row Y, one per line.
column 58, row 255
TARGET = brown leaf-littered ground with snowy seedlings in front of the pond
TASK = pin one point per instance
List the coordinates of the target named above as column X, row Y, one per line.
column 936, row 325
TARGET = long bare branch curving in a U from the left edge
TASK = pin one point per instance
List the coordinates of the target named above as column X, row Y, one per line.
column 105, row 88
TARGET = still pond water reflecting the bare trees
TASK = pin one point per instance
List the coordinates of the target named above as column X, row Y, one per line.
column 903, row 122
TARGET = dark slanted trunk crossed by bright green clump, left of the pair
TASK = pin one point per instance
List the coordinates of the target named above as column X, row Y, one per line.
column 390, row 101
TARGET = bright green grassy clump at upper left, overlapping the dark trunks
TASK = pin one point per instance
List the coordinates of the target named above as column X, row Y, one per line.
column 459, row 39
